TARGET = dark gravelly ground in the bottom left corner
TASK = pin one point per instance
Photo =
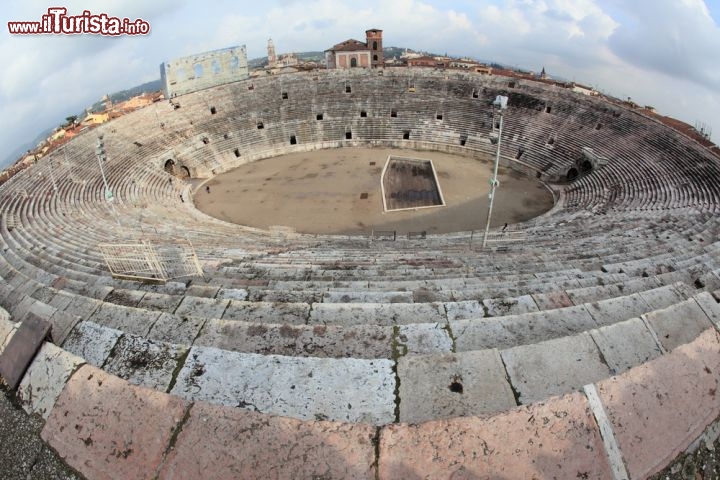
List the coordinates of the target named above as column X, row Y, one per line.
column 23, row 454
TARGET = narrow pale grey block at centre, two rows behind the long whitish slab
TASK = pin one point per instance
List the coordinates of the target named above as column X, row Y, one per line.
column 376, row 313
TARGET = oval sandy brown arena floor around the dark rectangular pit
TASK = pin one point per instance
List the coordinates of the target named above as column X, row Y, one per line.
column 319, row 192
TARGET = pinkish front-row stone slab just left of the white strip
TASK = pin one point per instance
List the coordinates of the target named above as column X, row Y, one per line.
column 556, row 439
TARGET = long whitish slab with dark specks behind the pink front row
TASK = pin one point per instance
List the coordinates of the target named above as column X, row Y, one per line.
column 348, row 390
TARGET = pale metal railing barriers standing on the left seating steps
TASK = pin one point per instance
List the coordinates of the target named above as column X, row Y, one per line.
column 146, row 262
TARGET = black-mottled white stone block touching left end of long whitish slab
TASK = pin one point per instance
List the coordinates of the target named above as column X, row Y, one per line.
column 144, row 362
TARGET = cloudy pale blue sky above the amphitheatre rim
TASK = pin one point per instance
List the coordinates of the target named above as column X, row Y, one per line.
column 659, row 52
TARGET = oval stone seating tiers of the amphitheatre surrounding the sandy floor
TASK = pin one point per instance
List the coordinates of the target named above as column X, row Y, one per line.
column 581, row 343
